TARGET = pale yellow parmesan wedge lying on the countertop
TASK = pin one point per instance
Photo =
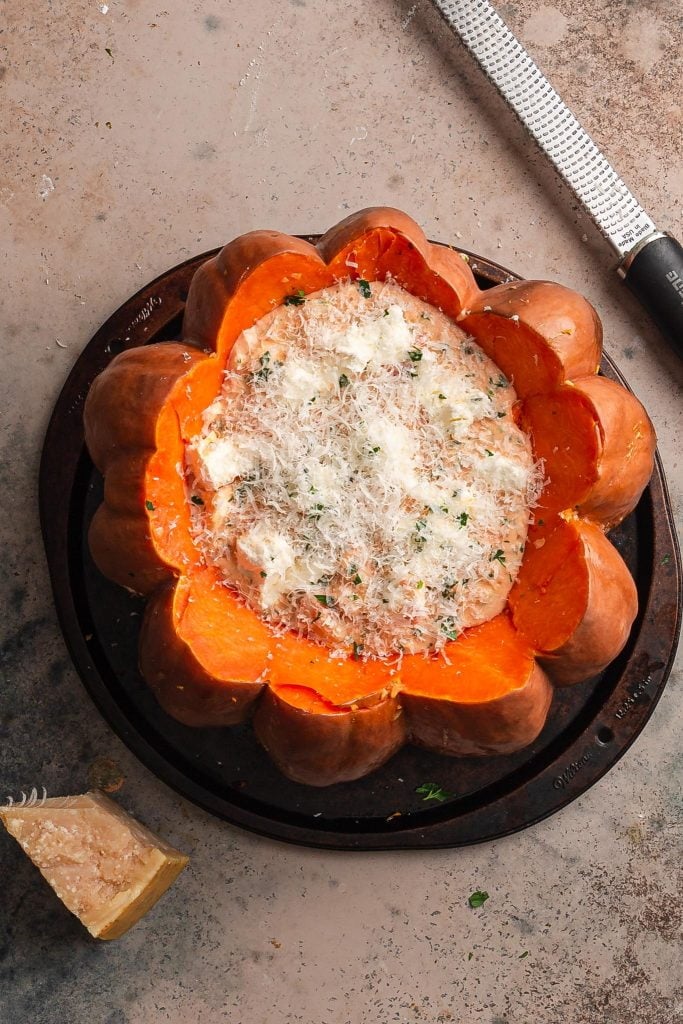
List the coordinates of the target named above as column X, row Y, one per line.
column 105, row 867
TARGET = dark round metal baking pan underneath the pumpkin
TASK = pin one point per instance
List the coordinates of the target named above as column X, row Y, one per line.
column 226, row 772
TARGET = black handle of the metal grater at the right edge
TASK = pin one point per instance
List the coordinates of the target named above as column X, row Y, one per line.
column 655, row 274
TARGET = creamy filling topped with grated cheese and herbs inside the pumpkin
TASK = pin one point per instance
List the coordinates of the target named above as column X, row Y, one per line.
column 361, row 480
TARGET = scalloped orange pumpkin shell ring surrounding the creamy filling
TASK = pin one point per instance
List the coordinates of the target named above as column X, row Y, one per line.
column 214, row 662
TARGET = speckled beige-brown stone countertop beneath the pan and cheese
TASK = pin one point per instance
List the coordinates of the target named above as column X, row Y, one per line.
column 136, row 135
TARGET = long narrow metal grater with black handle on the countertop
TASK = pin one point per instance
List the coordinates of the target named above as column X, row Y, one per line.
column 651, row 262
